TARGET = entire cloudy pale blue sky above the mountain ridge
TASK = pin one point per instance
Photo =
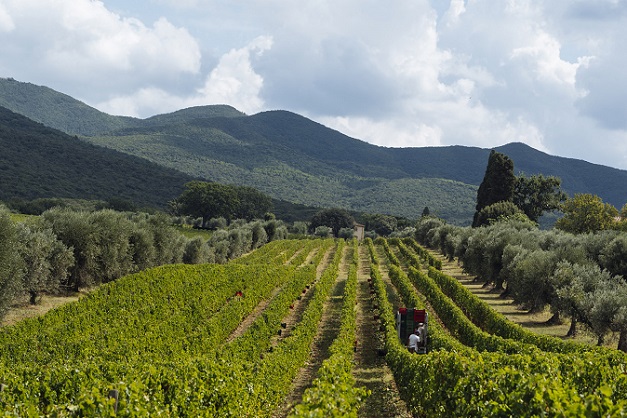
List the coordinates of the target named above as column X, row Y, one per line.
column 395, row 73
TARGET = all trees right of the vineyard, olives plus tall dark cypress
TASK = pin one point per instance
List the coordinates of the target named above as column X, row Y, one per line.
column 577, row 269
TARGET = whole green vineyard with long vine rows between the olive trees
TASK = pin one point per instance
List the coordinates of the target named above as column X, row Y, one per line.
column 297, row 328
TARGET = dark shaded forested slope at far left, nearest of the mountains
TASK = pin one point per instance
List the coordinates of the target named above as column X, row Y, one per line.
column 37, row 162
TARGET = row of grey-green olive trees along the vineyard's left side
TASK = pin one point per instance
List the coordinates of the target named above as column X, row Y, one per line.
column 66, row 250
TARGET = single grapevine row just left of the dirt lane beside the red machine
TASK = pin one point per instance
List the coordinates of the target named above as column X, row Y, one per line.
column 333, row 392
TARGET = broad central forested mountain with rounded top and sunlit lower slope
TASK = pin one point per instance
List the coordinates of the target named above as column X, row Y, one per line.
column 286, row 161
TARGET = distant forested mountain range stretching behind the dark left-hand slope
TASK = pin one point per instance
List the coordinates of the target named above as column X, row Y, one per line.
column 292, row 158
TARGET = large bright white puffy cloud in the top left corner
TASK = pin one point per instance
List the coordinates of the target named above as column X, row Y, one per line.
column 82, row 43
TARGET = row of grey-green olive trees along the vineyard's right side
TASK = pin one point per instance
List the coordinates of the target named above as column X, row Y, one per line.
column 576, row 276
